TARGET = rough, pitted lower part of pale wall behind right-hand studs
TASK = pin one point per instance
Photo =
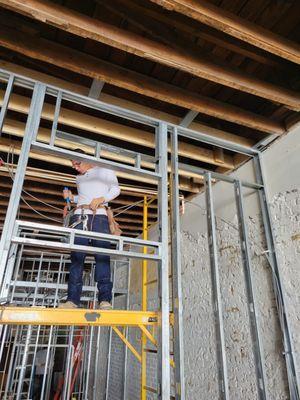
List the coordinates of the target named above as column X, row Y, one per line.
column 200, row 356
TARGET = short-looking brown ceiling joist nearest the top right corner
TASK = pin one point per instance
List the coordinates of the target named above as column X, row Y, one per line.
column 233, row 25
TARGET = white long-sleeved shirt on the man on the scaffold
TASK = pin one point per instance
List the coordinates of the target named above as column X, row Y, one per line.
column 96, row 182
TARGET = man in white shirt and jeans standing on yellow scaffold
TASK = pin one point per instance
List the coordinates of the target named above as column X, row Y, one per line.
column 96, row 186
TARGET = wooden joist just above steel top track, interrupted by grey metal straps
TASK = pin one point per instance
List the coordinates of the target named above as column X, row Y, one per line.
column 117, row 101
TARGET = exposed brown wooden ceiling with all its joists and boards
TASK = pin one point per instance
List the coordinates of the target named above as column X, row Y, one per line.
column 229, row 69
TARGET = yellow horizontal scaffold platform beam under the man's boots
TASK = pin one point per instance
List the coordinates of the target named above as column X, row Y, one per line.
column 77, row 317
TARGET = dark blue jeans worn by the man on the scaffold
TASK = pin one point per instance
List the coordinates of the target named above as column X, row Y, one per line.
column 102, row 266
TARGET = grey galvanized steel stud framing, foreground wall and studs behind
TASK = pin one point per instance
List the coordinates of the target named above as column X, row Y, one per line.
column 19, row 234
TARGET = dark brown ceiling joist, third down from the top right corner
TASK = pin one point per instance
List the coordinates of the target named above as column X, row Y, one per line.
column 83, row 64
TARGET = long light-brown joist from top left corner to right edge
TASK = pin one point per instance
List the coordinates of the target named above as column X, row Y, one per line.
column 87, row 27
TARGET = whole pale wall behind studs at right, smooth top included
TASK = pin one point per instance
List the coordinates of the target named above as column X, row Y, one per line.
column 282, row 166
